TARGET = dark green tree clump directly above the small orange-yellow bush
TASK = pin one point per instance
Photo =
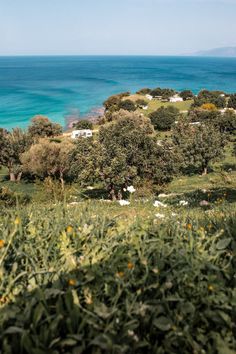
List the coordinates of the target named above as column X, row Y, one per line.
column 214, row 97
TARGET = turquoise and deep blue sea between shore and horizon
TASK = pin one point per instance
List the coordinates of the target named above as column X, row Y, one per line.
column 59, row 87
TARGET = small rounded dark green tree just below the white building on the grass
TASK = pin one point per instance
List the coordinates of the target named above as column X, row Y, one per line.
column 164, row 117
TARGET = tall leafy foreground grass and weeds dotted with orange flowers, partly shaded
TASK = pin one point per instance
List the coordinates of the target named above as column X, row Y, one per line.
column 76, row 281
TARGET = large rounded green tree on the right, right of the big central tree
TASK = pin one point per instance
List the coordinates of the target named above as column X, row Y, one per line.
column 198, row 145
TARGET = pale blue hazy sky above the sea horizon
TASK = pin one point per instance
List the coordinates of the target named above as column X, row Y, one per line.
column 115, row 26
